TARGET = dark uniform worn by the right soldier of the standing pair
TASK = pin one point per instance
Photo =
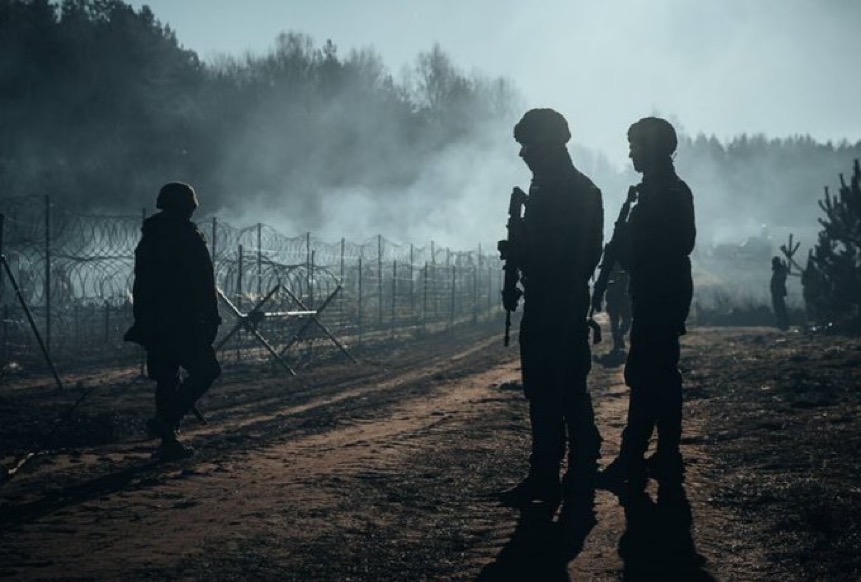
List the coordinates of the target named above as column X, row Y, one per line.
column 661, row 232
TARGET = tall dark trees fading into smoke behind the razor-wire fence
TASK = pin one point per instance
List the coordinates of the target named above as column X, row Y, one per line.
column 101, row 104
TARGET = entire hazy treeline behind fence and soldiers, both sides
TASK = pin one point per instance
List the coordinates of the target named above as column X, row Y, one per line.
column 100, row 104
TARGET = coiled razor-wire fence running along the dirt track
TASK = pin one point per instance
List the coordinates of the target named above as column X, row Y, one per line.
column 75, row 272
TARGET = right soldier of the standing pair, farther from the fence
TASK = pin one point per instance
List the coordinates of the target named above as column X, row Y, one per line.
column 654, row 248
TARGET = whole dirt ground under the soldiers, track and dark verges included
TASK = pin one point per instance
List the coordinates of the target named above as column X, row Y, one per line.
column 394, row 469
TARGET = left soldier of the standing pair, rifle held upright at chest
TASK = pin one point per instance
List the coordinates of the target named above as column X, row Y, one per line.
column 562, row 232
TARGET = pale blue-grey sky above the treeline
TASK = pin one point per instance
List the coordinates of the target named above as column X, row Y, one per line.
column 723, row 67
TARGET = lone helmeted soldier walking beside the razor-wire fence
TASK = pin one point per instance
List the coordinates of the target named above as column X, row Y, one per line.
column 175, row 313
